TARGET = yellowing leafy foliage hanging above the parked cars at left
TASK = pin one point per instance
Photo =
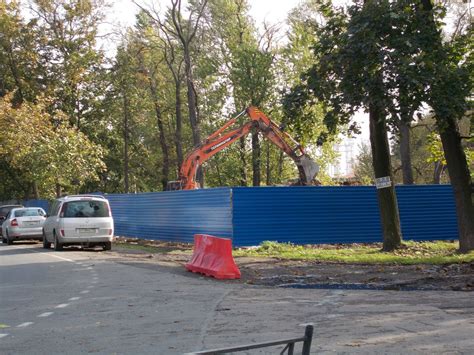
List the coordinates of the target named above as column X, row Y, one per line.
column 44, row 149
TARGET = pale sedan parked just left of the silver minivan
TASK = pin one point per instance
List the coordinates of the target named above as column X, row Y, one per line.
column 23, row 223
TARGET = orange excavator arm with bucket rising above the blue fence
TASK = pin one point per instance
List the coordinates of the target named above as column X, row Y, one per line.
column 226, row 135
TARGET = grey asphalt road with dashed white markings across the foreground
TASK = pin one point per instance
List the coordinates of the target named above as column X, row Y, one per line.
column 79, row 301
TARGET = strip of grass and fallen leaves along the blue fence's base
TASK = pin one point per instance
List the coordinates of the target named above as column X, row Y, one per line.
column 410, row 253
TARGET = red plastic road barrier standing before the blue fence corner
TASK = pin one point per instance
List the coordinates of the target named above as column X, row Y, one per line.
column 212, row 256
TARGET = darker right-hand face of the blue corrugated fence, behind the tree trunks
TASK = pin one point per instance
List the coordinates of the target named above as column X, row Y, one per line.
column 343, row 214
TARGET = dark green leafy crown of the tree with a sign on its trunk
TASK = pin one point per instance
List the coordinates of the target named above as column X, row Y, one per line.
column 354, row 50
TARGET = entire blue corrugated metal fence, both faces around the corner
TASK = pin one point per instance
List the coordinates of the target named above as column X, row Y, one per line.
column 302, row 215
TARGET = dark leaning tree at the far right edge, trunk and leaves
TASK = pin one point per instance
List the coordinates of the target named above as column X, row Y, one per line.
column 449, row 87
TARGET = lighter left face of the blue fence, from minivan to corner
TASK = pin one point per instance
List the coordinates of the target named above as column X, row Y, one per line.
column 172, row 215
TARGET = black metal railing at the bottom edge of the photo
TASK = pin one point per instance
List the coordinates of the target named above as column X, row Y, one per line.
column 289, row 348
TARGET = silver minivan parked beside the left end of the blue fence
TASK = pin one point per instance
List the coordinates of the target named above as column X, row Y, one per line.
column 79, row 220
